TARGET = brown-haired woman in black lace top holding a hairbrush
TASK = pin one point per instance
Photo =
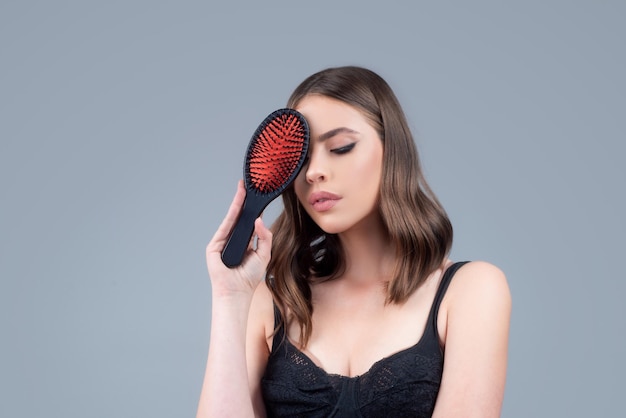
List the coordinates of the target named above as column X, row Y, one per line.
column 362, row 313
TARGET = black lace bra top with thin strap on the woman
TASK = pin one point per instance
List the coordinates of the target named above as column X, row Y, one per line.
column 404, row 384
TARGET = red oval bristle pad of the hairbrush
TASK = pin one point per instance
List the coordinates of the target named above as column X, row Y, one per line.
column 276, row 152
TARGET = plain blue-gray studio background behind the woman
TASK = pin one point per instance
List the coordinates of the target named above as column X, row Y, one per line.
column 123, row 128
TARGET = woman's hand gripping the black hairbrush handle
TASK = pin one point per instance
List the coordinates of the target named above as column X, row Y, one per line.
column 245, row 277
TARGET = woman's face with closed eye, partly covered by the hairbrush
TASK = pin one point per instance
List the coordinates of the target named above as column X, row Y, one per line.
column 339, row 186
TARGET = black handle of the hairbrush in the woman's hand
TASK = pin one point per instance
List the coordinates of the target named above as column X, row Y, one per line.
column 240, row 236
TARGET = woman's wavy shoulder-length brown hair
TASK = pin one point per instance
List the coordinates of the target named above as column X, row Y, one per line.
column 415, row 220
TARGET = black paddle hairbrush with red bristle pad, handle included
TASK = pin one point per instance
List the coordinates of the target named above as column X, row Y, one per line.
column 273, row 159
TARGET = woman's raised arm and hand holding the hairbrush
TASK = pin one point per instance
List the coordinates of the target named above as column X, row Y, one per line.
column 226, row 391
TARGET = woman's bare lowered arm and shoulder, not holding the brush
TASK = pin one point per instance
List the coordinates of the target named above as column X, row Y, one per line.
column 477, row 310
